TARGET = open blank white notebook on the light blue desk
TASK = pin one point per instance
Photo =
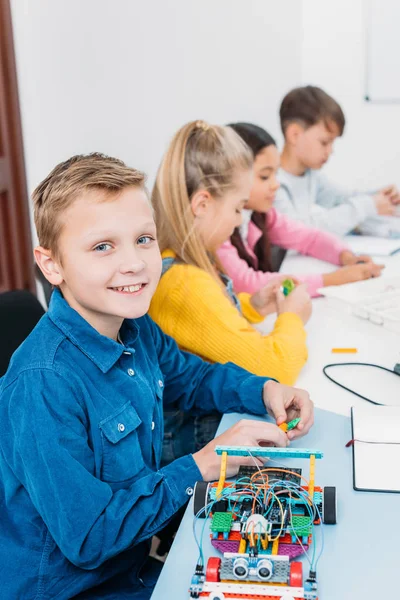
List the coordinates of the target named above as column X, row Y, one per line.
column 376, row 448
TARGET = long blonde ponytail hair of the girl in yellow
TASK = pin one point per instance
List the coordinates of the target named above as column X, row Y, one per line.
column 200, row 156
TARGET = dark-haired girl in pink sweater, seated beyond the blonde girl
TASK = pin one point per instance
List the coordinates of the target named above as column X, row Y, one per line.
column 256, row 249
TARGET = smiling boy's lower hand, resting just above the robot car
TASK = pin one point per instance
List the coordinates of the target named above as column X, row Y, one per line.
column 244, row 433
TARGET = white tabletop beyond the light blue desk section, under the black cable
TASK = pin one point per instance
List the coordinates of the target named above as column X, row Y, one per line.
column 331, row 327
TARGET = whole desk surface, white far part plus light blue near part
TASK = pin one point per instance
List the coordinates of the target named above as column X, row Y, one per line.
column 361, row 551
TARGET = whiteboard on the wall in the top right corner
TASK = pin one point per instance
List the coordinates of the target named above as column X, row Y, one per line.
column 383, row 50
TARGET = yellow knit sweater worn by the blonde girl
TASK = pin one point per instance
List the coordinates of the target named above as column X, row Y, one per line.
column 190, row 306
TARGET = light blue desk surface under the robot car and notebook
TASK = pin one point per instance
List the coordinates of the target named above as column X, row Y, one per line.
column 360, row 557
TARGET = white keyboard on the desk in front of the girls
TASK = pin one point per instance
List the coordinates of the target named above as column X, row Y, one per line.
column 377, row 300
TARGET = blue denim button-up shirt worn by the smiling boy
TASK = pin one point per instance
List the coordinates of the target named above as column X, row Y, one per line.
column 81, row 429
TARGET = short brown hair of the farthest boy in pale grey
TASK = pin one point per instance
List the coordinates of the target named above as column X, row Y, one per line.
column 309, row 105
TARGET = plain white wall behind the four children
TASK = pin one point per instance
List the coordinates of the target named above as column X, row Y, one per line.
column 120, row 76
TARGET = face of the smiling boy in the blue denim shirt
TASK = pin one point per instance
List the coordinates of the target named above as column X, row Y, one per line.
column 110, row 263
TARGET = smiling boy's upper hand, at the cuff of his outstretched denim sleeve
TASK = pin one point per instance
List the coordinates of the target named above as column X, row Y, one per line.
column 286, row 403
